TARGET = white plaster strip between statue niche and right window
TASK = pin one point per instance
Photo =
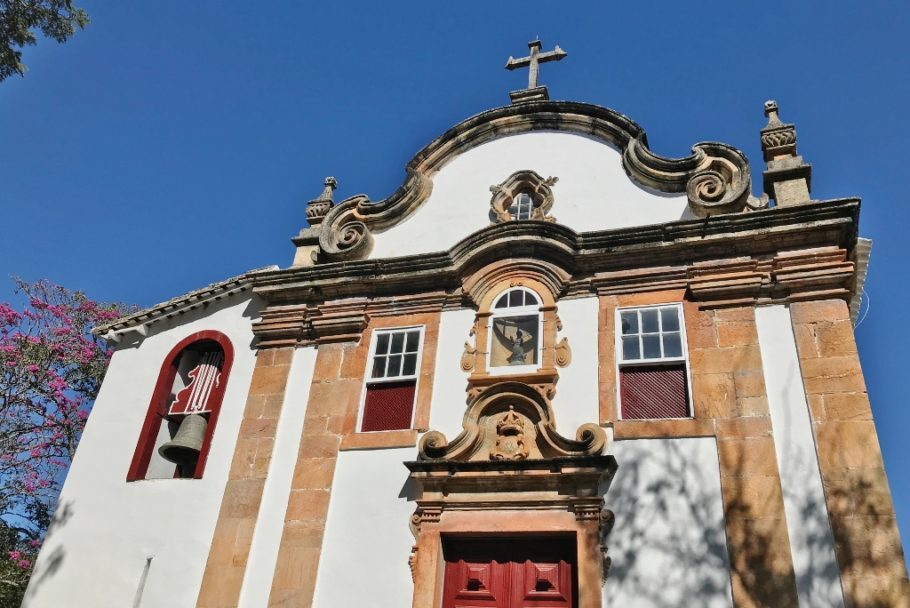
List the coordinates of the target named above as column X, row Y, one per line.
column 576, row 400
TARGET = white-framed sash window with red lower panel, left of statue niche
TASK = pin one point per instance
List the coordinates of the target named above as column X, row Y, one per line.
column 391, row 385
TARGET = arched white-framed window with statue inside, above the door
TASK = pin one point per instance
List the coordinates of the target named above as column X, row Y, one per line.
column 515, row 332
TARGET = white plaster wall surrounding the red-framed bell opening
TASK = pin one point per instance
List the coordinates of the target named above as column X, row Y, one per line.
column 109, row 528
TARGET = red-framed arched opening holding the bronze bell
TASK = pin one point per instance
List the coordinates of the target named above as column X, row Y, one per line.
column 183, row 411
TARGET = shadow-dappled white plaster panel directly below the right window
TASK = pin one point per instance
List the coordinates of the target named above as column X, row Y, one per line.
column 668, row 543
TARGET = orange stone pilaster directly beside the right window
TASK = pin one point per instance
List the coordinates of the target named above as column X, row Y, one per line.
column 728, row 385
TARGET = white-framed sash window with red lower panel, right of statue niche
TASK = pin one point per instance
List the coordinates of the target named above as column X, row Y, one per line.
column 652, row 362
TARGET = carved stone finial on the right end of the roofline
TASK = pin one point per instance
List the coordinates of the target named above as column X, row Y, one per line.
column 788, row 178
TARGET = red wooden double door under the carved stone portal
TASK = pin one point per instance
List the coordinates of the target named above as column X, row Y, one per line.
column 536, row 572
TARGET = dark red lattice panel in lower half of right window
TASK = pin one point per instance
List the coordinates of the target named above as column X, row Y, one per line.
column 658, row 391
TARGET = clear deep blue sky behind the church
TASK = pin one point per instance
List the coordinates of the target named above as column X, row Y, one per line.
column 173, row 144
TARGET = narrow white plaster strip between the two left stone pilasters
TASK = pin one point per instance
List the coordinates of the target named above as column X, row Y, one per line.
column 260, row 569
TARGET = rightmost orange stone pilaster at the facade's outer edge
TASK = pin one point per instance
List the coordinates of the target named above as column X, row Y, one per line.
column 867, row 542
